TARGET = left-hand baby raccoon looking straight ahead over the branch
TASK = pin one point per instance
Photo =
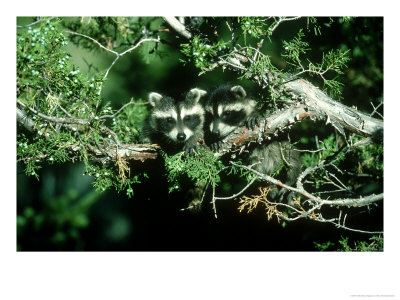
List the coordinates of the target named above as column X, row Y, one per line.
column 175, row 125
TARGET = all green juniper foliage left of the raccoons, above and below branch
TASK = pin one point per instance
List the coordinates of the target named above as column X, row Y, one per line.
column 48, row 82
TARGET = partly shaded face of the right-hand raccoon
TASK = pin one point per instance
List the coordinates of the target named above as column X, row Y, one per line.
column 226, row 109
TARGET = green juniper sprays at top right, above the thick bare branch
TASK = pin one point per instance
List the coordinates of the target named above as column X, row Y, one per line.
column 204, row 50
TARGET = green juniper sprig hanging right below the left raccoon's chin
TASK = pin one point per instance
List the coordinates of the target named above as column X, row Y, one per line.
column 199, row 168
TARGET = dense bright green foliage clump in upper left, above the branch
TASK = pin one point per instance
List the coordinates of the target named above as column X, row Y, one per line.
column 45, row 77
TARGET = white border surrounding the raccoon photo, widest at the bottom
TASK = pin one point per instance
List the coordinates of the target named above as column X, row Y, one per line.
column 188, row 275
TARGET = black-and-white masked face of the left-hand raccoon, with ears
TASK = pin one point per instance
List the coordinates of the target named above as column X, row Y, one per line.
column 177, row 121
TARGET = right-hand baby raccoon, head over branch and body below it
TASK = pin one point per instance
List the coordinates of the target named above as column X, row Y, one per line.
column 228, row 107
